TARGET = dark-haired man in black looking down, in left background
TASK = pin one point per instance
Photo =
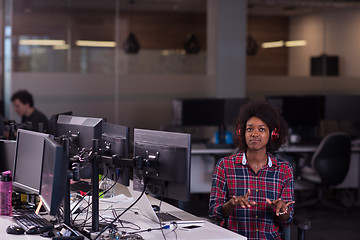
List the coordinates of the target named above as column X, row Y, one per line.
column 24, row 106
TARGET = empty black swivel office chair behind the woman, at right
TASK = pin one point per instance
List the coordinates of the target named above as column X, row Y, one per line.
column 329, row 167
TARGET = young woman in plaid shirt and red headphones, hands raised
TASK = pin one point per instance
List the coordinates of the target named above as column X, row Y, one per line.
column 252, row 191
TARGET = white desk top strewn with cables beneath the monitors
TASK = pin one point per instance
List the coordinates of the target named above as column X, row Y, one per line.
column 207, row 232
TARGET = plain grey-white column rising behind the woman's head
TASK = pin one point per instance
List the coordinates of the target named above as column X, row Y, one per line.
column 226, row 46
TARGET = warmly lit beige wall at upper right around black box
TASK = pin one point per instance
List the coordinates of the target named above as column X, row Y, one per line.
column 333, row 32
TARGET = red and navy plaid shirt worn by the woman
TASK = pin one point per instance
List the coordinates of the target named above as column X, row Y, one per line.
column 233, row 177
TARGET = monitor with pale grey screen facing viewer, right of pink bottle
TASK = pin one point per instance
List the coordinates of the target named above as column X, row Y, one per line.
column 28, row 161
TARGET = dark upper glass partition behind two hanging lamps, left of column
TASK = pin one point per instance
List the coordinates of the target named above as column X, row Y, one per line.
column 82, row 36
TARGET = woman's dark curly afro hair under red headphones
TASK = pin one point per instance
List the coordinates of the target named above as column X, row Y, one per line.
column 269, row 115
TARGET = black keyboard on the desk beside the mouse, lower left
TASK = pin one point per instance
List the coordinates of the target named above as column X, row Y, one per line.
column 33, row 223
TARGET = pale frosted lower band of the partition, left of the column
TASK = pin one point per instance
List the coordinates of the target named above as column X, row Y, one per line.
column 144, row 100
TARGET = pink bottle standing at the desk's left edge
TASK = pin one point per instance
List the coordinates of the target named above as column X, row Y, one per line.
column 5, row 193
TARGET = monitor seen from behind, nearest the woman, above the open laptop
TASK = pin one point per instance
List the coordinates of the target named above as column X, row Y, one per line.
column 166, row 163
